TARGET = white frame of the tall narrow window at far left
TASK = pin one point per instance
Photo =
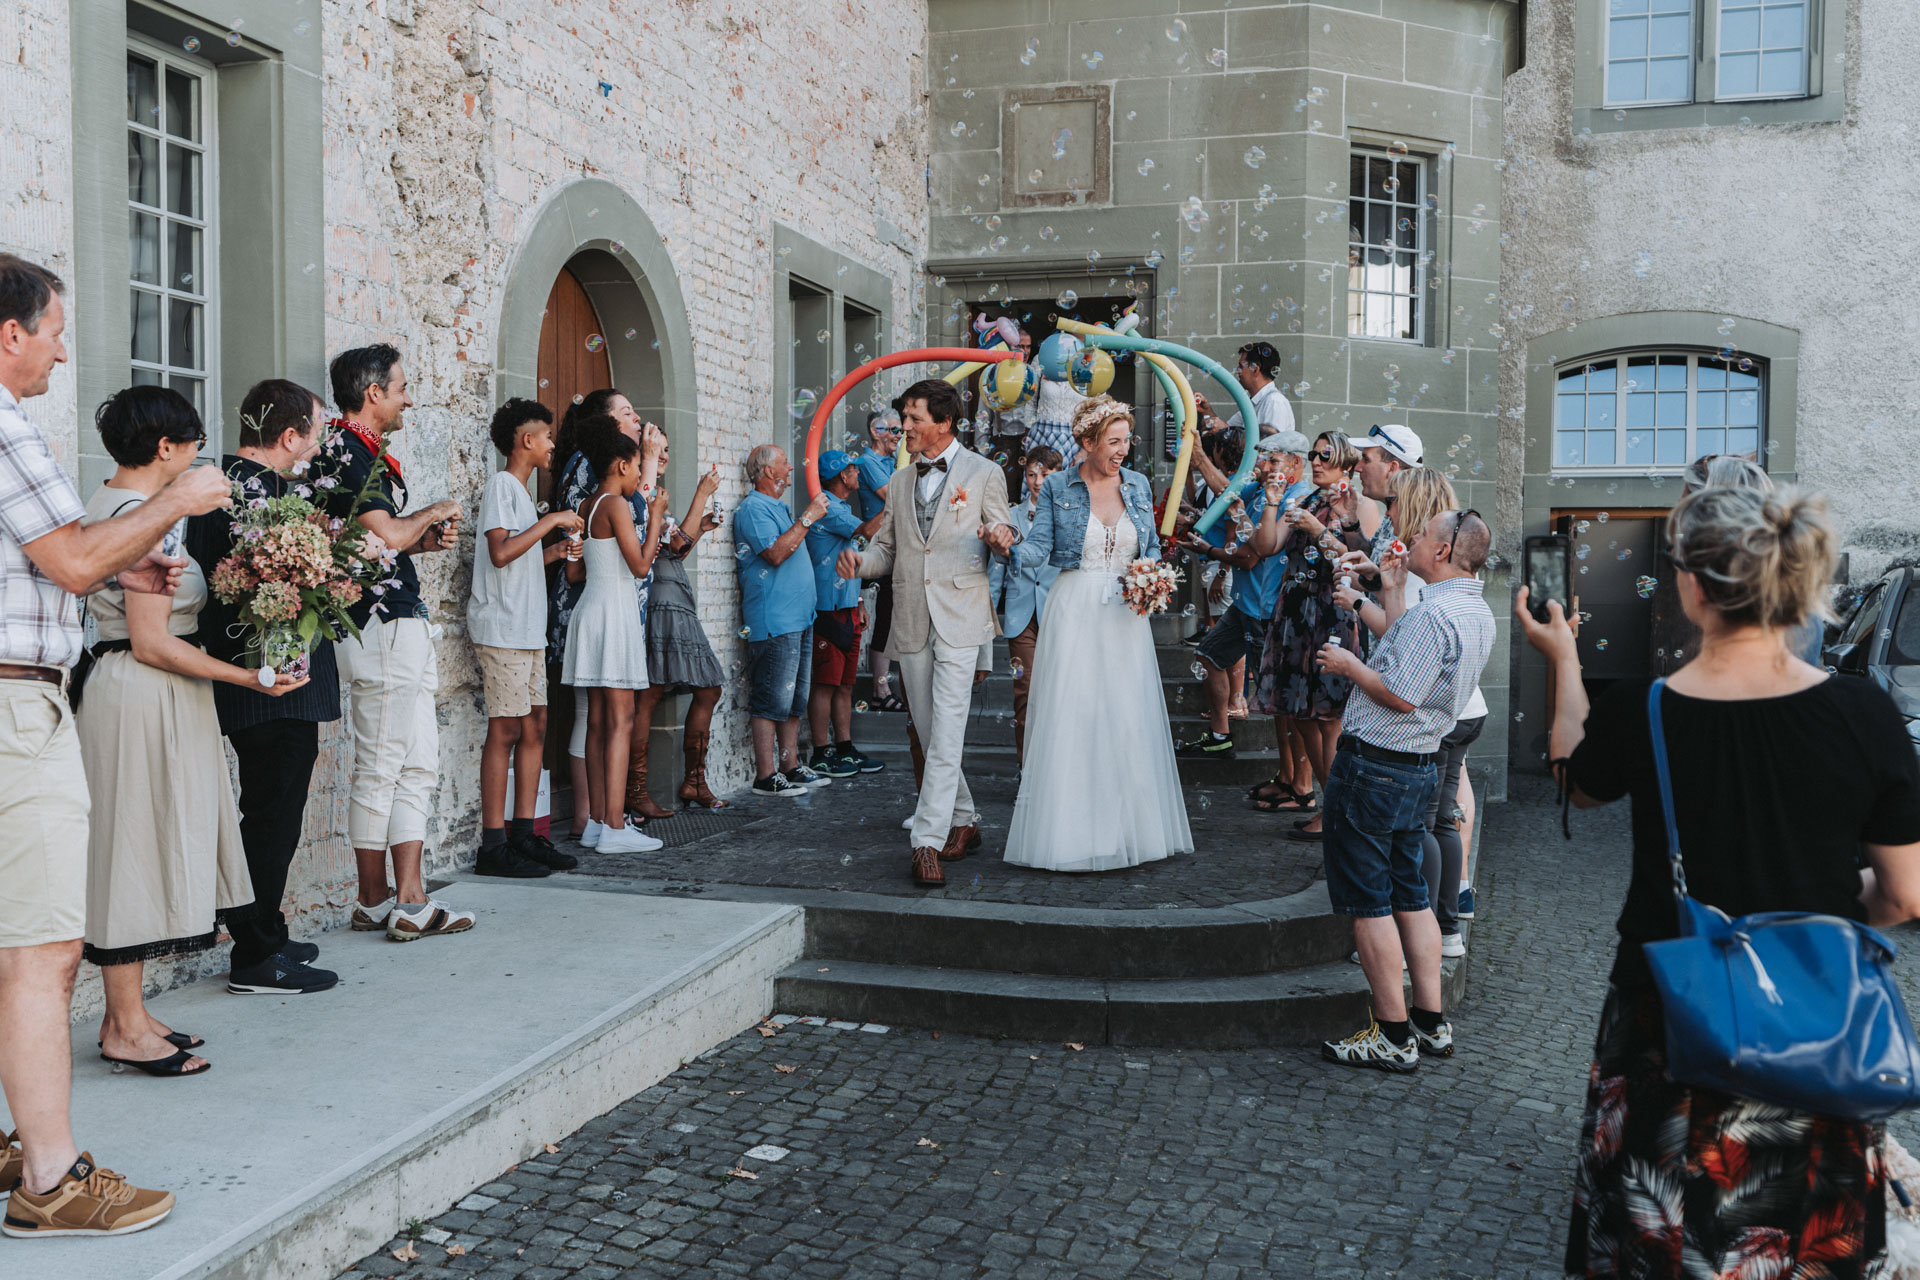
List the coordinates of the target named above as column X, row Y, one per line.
column 208, row 225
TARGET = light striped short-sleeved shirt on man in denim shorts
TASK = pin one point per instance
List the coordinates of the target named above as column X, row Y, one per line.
column 1431, row 657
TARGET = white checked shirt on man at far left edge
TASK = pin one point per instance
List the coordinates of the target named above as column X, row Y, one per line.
column 39, row 621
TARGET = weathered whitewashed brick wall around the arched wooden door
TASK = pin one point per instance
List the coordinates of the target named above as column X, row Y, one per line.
column 448, row 128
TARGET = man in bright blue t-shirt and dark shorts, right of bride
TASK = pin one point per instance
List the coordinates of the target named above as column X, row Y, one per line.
column 1239, row 638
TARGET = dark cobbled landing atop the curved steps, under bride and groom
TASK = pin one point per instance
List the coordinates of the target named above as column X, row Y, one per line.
column 848, row 838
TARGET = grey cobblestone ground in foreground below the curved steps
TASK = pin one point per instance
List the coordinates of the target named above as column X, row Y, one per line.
column 909, row 1154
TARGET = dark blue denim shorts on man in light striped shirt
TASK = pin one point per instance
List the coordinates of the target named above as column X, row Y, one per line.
column 1378, row 836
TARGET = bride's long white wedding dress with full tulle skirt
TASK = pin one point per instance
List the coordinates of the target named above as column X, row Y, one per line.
column 1101, row 788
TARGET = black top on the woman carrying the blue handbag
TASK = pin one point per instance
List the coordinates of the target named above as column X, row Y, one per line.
column 1773, row 797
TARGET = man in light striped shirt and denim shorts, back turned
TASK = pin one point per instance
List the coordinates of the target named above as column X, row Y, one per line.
column 1406, row 698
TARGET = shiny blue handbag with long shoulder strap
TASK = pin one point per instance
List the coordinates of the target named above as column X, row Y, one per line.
column 1783, row 1007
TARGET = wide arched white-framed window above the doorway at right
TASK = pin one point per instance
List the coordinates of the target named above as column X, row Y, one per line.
column 1643, row 412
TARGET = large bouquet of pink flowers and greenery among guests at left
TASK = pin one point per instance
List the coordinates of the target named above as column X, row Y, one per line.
column 297, row 571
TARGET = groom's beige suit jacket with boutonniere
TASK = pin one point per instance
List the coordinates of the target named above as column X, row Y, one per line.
column 940, row 582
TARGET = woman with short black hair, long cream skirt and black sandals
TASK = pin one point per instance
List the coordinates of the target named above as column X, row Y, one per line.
column 164, row 857
